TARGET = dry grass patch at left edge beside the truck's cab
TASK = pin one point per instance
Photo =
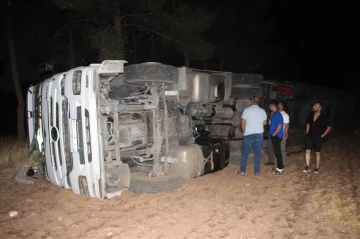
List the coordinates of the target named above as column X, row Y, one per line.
column 13, row 152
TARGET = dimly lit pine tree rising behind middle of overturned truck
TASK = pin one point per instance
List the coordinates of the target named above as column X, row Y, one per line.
column 113, row 25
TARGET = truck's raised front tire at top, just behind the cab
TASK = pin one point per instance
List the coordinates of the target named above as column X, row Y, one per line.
column 150, row 72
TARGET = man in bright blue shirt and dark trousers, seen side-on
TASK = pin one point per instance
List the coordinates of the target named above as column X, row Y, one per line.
column 276, row 131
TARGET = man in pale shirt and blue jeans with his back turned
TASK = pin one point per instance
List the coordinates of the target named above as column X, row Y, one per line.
column 252, row 125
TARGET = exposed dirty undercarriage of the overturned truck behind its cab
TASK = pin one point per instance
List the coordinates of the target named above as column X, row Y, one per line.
column 148, row 122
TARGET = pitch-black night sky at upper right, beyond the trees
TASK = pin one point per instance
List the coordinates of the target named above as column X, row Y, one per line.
column 322, row 37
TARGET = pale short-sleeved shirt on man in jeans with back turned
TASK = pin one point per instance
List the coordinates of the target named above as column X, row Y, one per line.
column 255, row 117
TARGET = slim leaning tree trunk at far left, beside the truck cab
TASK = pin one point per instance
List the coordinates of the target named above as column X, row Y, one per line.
column 15, row 78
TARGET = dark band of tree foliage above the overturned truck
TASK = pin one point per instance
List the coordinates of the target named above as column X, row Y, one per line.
column 160, row 29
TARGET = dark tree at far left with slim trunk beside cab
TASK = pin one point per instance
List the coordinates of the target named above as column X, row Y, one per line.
column 28, row 43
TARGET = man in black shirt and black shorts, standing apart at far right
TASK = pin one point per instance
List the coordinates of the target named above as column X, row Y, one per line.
column 317, row 127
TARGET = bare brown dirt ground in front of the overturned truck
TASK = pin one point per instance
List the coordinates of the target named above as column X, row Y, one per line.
column 221, row 205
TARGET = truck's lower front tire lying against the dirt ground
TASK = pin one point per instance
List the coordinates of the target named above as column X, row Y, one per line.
column 140, row 182
